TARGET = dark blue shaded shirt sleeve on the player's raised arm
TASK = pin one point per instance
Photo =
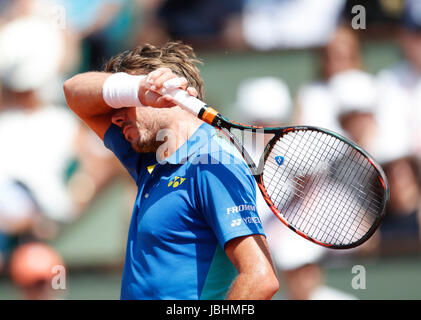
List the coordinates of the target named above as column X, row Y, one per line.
column 130, row 159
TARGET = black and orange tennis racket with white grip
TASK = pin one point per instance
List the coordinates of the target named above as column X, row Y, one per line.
column 319, row 184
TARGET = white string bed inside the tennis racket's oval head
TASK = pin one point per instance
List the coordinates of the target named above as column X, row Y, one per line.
column 324, row 187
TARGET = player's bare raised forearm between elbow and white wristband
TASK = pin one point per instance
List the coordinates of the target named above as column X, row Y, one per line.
column 83, row 94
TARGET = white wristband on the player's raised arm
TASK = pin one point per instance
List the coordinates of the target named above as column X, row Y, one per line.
column 121, row 90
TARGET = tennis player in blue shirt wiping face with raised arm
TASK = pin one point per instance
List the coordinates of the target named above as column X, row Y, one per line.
column 195, row 232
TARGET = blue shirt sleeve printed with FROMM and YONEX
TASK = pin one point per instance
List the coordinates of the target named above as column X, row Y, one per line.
column 227, row 197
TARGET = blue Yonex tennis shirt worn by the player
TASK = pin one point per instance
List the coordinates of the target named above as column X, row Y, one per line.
column 187, row 208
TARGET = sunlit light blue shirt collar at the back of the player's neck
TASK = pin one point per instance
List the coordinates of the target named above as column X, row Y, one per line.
column 198, row 143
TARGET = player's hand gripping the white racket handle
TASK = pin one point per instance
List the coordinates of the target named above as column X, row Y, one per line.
column 153, row 87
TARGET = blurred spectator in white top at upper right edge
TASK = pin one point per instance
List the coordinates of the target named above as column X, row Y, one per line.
column 400, row 88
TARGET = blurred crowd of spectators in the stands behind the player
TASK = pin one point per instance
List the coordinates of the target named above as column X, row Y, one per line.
column 52, row 167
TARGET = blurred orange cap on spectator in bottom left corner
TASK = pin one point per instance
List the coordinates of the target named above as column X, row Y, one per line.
column 32, row 263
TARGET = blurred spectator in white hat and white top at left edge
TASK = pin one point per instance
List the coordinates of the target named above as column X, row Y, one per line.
column 24, row 66
